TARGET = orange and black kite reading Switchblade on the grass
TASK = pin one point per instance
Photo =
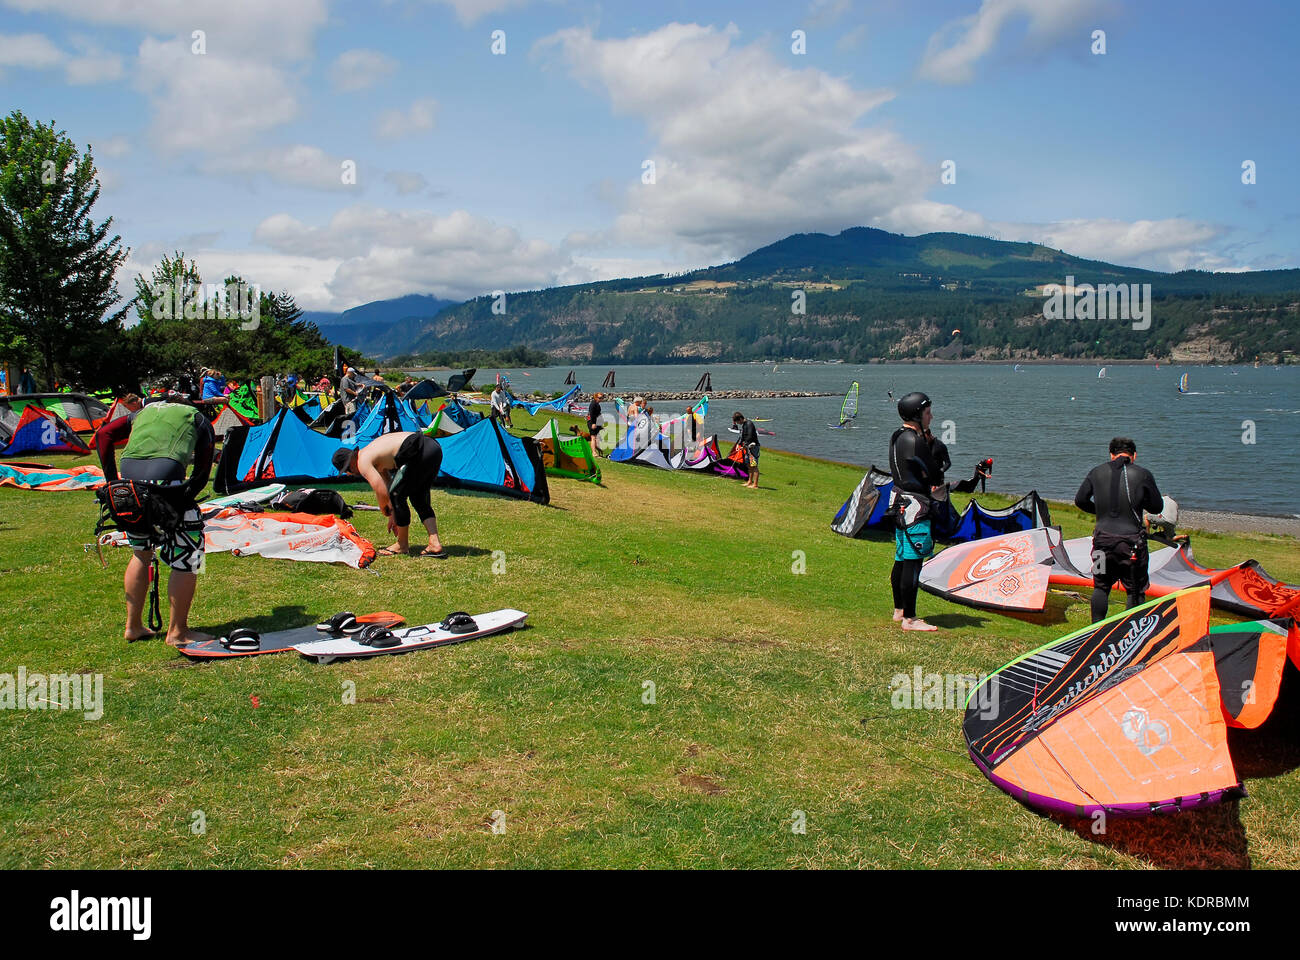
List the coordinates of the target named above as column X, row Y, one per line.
column 1124, row 716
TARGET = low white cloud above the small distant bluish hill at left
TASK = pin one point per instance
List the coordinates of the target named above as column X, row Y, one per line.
column 382, row 253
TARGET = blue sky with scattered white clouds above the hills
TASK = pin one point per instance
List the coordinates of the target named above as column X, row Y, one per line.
column 479, row 171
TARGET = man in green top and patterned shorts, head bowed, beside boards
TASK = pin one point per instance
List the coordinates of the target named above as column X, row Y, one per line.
column 163, row 438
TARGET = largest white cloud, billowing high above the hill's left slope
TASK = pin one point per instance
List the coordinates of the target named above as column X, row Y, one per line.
column 748, row 150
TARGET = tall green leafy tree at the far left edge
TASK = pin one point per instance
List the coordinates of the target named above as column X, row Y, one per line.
column 58, row 266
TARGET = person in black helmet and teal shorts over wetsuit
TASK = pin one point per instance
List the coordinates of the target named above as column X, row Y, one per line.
column 916, row 473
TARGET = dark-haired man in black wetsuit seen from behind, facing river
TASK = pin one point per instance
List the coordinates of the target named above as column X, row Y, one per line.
column 1119, row 492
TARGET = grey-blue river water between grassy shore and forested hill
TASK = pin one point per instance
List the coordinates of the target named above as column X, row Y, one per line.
column 1232, row 443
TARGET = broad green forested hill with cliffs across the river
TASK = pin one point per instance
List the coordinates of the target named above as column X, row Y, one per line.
column 870, row 295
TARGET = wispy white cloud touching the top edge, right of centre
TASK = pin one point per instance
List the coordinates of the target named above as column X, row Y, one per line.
column 954, row 51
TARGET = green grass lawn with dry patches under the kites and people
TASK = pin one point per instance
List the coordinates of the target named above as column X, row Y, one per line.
column 772, row 697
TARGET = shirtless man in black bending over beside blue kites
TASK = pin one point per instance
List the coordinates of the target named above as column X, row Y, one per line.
column 401, row 469
